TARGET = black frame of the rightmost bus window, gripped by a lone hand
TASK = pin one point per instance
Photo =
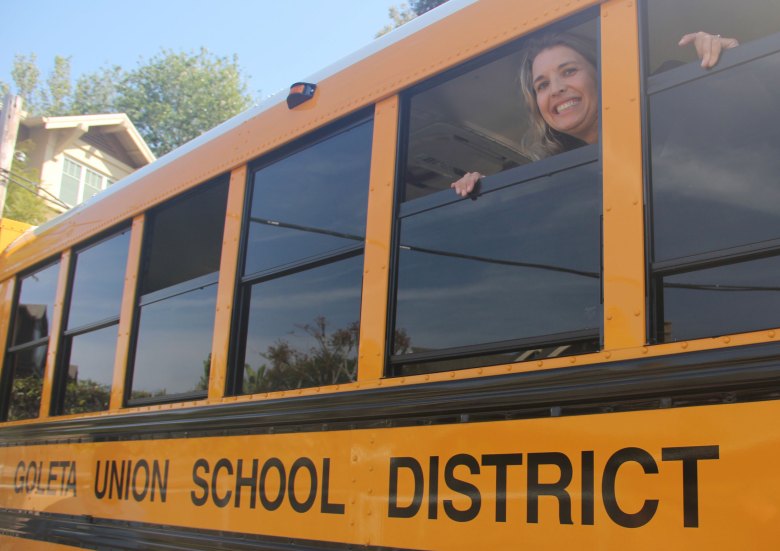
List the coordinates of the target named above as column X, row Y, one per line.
column 651, row 84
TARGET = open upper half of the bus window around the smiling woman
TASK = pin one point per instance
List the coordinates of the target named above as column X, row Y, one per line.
column 477, row 120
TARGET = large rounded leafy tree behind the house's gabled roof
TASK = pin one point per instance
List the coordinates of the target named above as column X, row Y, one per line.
column 175, row 97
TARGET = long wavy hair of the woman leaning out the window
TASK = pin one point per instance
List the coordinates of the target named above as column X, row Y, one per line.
column 542, row 141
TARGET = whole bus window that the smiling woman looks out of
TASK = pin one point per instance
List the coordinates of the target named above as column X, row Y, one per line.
column 513, row 274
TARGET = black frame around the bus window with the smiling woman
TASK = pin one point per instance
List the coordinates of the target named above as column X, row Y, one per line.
column 508, row 178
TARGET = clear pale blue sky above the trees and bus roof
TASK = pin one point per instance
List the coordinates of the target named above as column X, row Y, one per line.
column 277, row 41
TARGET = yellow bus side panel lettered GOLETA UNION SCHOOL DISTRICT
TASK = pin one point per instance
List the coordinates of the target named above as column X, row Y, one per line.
column 689, row 477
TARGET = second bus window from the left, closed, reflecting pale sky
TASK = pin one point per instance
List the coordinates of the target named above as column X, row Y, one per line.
column 86, row 367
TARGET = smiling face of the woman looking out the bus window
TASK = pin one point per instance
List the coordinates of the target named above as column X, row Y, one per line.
column 566, row 92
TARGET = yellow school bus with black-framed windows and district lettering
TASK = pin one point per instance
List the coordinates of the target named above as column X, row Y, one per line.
column 292, row 333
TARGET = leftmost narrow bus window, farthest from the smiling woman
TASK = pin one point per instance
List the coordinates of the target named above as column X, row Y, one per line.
column 26, row 356
